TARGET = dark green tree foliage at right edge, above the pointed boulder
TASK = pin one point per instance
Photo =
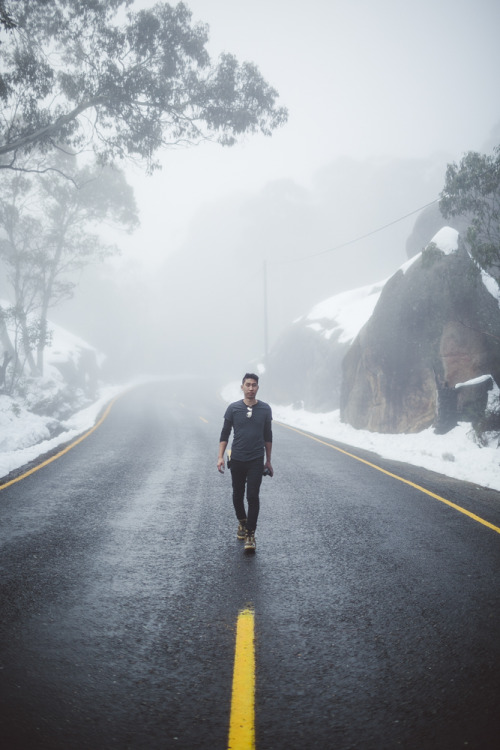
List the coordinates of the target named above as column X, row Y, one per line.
column 472, row 190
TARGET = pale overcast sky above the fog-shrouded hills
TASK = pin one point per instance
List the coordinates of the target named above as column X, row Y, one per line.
column 361, row 78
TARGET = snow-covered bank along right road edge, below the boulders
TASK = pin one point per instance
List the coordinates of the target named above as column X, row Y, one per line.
column 454, row 454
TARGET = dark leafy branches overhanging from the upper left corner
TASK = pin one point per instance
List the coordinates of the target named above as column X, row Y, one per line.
column 94, row 74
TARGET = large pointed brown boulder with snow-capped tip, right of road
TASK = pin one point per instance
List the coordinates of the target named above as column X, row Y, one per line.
column 436, row 324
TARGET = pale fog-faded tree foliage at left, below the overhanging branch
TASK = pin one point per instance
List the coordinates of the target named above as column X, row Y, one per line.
column 49, row 231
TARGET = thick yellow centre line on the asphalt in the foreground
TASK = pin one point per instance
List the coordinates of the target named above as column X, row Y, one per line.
column 242, row 719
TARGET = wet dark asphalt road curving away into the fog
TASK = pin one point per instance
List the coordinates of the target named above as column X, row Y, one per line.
column 376, row 604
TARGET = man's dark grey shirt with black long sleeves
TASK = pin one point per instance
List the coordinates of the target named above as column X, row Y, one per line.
column 250, row 433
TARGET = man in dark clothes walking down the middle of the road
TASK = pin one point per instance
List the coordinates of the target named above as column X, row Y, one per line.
column 250, row 421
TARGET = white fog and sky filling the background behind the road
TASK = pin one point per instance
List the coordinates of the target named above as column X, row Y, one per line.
column 381, row 95
